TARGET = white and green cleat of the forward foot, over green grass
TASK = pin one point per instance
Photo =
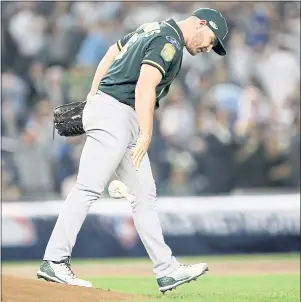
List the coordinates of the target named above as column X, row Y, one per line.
column 184, row 274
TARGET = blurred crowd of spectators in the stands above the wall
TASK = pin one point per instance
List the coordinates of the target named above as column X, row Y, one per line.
column 227, row 124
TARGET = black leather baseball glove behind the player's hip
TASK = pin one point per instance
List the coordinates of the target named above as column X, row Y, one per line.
column 67, row 119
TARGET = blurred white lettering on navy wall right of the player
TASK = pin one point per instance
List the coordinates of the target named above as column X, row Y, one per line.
column 231, row 224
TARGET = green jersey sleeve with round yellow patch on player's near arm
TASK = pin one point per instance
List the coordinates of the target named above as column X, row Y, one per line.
column 160, row 53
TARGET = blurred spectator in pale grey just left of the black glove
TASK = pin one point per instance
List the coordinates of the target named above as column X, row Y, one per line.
column 33, row 156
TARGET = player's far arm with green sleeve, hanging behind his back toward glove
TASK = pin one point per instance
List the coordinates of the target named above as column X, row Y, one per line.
column 106, row 62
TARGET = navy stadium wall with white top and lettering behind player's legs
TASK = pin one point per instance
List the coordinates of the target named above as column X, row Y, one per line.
column 191, row 226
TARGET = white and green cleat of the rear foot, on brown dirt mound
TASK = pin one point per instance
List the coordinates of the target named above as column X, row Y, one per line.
column 60, row 272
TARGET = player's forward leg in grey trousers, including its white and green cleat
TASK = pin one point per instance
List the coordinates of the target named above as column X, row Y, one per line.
column 168, row 271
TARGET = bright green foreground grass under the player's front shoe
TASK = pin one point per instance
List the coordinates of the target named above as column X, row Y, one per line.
column 264, row 288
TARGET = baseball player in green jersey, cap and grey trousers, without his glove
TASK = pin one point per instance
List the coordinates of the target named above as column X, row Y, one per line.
column 129, row 82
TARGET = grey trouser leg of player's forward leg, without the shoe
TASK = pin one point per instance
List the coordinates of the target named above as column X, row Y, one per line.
column 141, row 184
